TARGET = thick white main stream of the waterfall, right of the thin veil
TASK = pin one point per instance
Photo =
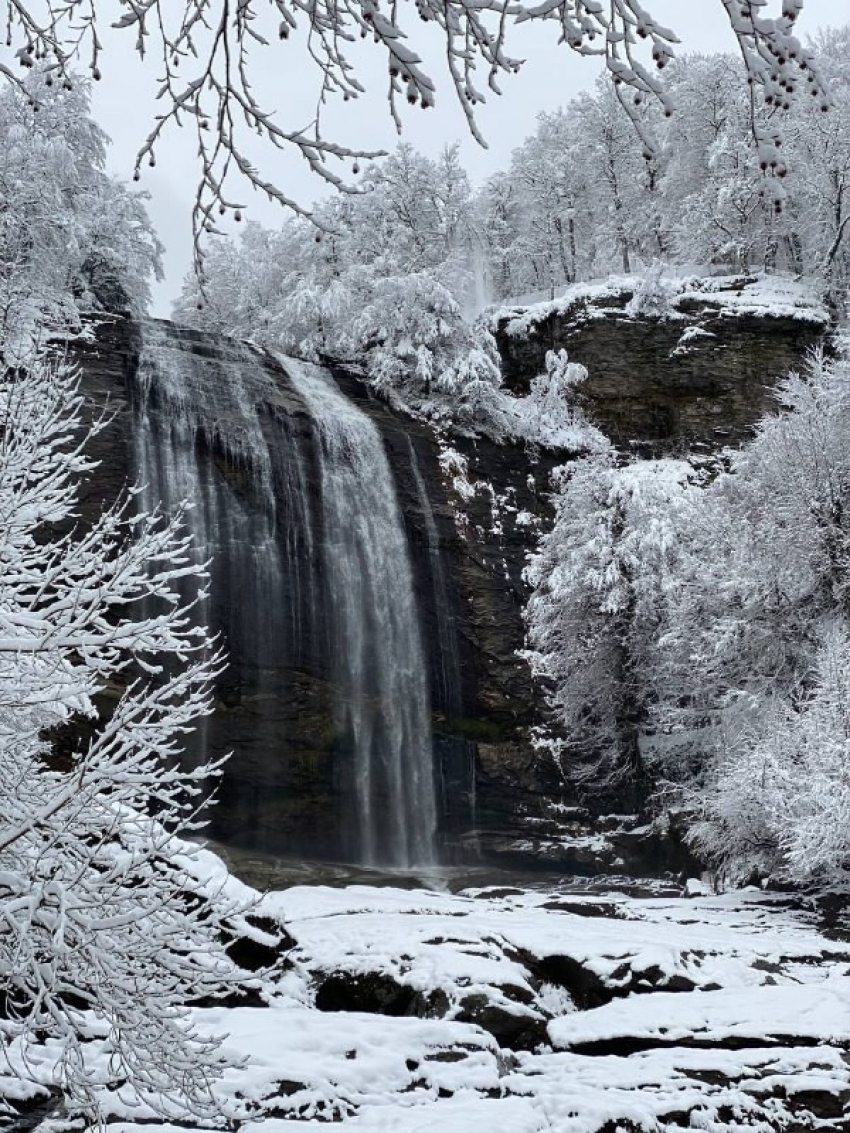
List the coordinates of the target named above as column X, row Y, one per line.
column 380, row 676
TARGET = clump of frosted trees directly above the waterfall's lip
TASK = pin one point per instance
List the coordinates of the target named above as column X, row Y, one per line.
column 386, row 286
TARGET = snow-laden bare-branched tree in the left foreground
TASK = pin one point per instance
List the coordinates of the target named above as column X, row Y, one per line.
column 104, row 935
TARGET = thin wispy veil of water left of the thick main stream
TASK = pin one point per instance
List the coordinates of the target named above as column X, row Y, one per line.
column 202, row 439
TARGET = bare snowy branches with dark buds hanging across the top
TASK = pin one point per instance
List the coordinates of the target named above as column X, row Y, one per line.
column 206, row 66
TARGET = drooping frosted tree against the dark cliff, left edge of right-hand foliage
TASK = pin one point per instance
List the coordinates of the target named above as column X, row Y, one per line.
column 600, row 586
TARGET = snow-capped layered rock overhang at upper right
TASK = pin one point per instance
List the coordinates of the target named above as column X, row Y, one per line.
column 698, row 378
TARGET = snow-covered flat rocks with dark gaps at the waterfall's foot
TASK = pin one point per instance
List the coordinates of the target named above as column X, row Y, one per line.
column 522, row 1011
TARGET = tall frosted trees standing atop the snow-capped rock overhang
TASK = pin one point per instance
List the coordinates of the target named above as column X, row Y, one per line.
column 580, row 200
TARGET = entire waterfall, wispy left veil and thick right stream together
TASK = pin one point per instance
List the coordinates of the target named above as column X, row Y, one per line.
column 300, row 584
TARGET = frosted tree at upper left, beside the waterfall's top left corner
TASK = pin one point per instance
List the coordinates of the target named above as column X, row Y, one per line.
column 72, row 238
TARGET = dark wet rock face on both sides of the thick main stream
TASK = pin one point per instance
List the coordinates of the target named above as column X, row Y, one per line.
column 286, row 789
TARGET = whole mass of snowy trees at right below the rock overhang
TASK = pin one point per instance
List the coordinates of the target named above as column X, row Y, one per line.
column 694, row 628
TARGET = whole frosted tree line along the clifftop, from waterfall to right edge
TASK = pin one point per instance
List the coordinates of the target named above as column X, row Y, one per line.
column 396, row 275
